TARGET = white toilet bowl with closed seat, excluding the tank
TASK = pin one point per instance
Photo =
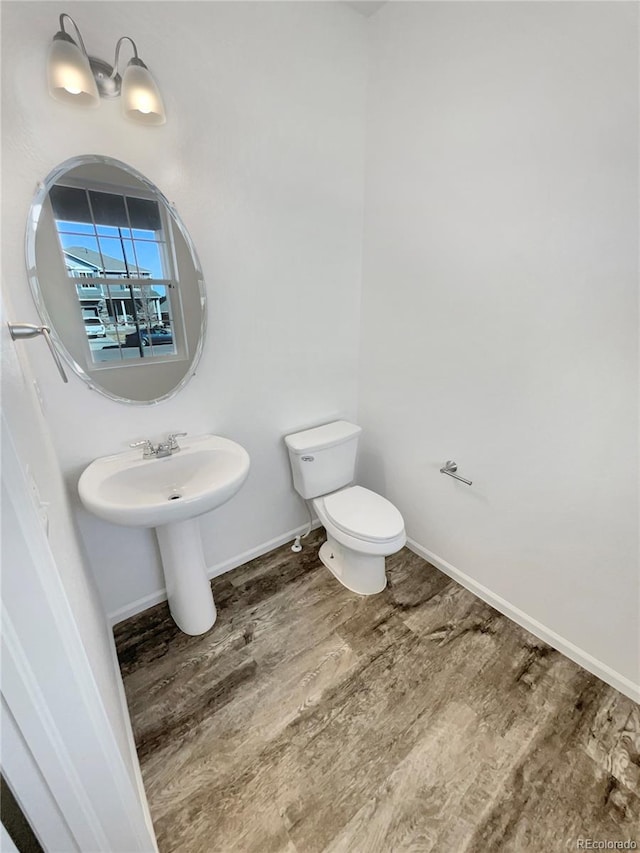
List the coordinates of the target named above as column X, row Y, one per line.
column 362, row 529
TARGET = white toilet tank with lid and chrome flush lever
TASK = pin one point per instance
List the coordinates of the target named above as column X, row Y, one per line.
column 323, row 459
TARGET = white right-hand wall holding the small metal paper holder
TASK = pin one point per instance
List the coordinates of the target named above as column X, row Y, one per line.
column 499, row 316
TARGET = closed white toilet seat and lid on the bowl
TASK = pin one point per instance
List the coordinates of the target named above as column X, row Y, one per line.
column 363, row 514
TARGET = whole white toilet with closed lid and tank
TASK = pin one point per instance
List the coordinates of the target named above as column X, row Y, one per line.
column 362, row 526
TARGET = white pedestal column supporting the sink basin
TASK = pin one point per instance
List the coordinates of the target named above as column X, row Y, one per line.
column 188, row 587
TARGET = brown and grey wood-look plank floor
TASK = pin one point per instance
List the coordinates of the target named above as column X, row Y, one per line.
column 311, row 719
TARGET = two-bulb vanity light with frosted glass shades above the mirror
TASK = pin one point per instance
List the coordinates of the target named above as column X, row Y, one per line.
column 77, row 78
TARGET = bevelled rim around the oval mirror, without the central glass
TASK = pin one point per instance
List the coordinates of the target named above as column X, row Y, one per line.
column 34, row 281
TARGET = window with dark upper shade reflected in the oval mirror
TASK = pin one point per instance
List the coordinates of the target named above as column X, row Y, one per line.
column 117, row 254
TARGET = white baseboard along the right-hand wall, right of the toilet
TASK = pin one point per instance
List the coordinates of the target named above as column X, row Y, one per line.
column 585, row 660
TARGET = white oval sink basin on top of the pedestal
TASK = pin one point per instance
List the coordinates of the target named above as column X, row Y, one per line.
column 127, row 489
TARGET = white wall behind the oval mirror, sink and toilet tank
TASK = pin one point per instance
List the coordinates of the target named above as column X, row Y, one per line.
column 262, row 154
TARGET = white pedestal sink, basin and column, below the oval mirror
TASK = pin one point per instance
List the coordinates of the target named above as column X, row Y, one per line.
column 169, row 493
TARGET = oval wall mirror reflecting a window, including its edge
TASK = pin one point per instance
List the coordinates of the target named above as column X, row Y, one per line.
column 115, row 275
